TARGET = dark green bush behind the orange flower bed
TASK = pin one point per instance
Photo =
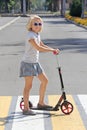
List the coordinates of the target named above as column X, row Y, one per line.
column 76, row 8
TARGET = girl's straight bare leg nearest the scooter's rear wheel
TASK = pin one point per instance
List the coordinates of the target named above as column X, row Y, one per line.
column 27, row 88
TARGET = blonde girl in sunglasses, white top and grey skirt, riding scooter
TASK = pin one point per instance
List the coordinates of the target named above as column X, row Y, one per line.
column 30, row 65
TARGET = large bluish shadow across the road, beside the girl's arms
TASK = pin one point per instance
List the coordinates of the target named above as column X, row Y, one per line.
column 73, row 44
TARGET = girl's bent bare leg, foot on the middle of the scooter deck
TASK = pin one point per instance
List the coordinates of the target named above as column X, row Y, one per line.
column 44, row 80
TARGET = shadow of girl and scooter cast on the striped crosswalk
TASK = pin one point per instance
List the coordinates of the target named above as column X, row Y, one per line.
column 19, row 117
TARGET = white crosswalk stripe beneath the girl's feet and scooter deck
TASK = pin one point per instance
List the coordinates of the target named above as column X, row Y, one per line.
column 28, row 122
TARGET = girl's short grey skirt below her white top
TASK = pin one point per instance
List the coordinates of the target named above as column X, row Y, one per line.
column 30, row 69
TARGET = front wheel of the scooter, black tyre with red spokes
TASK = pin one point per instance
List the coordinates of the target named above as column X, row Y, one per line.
column 66, row 107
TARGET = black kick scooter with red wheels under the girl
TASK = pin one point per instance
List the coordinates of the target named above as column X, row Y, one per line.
column 65, row 106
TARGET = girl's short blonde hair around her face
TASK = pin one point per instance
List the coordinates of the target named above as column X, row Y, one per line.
column 29, row 24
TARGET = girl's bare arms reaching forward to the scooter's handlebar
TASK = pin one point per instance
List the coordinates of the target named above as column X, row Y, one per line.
column 42, row 47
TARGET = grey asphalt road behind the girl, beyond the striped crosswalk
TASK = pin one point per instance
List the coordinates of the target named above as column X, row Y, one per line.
column 58, row 33
